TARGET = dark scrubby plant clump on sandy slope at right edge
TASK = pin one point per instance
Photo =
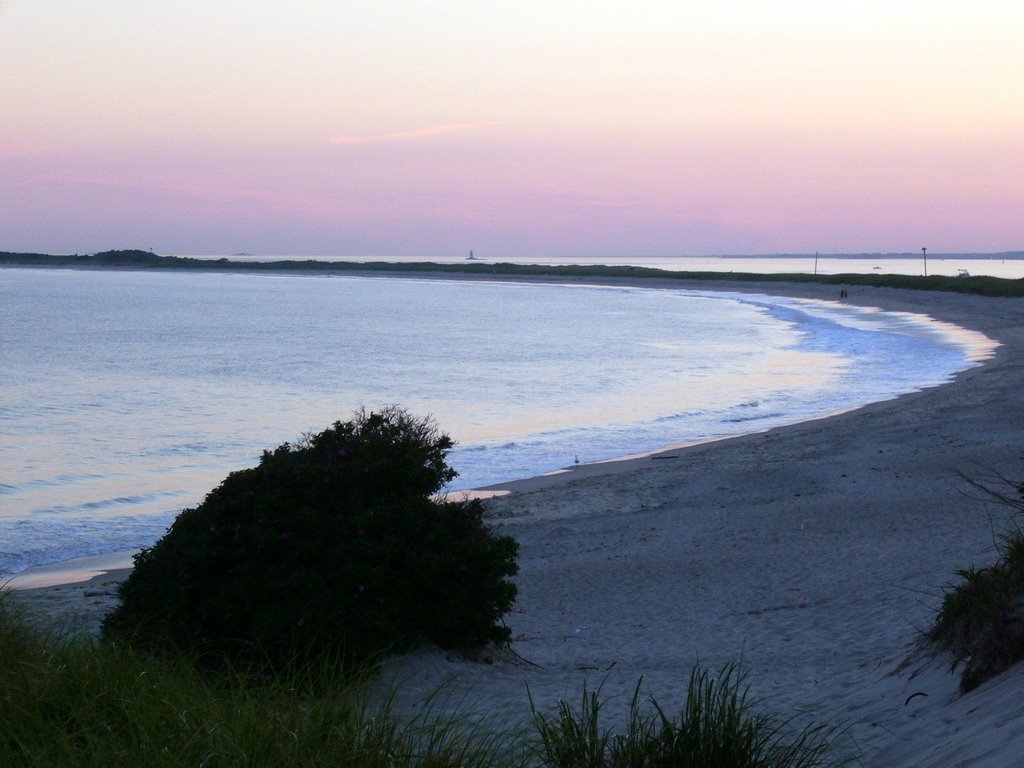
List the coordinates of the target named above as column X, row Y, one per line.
column 982, row 621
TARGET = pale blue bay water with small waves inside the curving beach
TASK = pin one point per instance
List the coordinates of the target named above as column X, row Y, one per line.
column 127, row 396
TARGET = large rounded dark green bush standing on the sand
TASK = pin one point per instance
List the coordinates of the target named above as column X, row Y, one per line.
column 333, row 546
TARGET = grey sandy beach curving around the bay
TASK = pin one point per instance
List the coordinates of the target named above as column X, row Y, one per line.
column 816, row 554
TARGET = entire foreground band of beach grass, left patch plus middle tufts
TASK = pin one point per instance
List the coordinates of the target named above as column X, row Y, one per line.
column 73, row 700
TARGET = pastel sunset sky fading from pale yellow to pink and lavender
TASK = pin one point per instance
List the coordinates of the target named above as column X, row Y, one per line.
column 591, row 129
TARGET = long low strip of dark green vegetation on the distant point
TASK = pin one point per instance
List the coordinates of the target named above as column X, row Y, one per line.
column 980, row 285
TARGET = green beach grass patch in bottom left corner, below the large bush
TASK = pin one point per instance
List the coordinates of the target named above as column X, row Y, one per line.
column 78, row 702
